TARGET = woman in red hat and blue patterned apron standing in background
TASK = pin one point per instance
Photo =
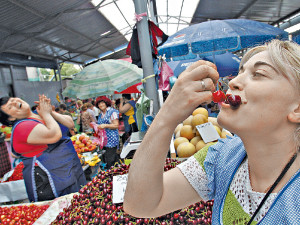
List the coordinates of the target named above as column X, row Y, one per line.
column 109, row 120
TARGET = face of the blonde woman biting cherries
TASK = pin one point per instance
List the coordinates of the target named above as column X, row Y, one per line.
column 268, row 97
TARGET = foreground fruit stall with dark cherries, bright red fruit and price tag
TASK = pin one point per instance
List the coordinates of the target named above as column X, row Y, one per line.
column 101, row 202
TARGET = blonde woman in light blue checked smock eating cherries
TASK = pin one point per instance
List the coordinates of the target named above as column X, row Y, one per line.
column 238, row 172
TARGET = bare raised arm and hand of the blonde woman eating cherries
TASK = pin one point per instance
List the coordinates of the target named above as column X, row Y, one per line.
column 150, row 192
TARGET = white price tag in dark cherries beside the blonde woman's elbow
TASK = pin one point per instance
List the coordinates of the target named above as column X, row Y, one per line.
column 119, row 187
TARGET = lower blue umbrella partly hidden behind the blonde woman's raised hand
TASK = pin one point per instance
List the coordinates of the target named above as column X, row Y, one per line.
column 227, row 64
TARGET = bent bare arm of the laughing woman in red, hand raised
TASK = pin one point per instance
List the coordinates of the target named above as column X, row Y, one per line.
column 50, row 132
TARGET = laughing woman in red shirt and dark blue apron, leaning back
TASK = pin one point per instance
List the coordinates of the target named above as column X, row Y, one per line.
column 51, row 165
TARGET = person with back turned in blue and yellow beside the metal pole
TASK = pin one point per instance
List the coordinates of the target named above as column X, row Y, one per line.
column 127, row 107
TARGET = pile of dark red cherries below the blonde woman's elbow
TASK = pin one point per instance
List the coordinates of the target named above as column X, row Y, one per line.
column 93, row 205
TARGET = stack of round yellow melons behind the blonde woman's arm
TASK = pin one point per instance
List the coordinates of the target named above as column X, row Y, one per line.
column 187, row 138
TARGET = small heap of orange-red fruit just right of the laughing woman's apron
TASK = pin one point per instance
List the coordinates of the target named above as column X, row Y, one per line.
column 83, row 143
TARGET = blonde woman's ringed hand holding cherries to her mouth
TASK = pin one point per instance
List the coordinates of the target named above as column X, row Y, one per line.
column 193, row 87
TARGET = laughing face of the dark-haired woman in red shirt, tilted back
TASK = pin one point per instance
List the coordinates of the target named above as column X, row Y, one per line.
column 16, row 108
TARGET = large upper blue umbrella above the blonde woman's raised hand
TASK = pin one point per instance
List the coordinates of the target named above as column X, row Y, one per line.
column 219, row 36
